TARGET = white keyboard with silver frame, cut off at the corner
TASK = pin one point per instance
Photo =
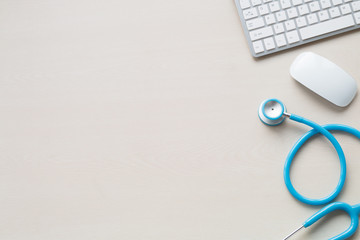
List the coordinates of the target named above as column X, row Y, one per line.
column 274, row 25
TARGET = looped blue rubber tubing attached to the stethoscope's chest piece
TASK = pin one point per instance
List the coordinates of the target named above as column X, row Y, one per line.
column 325, row 131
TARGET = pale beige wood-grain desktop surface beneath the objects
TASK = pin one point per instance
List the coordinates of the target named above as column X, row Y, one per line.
column 138, row 120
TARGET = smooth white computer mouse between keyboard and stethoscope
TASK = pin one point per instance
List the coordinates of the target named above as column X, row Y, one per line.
column 324, row 78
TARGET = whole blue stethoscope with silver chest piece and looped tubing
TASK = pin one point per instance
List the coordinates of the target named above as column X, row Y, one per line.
column 272, row 112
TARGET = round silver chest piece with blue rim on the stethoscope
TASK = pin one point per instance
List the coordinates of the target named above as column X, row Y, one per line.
column 272, row 112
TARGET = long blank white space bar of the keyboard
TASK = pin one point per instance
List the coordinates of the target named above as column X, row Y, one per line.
column 327, row 27
